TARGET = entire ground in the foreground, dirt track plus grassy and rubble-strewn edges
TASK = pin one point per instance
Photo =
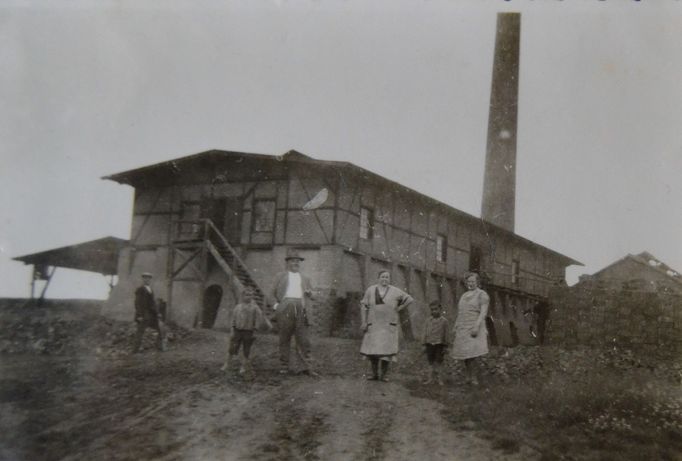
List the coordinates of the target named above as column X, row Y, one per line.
column 71, row 390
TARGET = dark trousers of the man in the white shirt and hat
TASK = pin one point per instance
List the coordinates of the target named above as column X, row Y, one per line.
column 292, row 321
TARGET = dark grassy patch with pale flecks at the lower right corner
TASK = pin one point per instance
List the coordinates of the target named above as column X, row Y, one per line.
column 604, row 414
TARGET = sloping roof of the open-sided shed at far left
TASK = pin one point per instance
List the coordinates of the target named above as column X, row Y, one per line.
column 99, row 256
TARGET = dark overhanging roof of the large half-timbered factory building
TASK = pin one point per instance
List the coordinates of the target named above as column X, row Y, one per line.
column 174, row 168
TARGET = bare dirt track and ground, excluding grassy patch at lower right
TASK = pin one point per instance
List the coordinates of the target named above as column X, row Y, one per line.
column 178, row 405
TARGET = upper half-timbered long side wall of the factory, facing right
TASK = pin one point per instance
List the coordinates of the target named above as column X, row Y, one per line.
column 406, row 228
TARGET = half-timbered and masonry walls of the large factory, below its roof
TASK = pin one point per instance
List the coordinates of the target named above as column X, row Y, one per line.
column 258, row 207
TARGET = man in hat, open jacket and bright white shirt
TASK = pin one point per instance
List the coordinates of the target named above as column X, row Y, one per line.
column 292, row 292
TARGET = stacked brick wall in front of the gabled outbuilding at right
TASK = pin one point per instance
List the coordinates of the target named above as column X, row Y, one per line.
column 589, row 314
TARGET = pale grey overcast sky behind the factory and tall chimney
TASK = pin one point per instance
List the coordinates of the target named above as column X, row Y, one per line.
column 398, row 87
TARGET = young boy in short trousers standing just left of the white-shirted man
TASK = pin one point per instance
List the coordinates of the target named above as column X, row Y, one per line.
column 246, row 318
